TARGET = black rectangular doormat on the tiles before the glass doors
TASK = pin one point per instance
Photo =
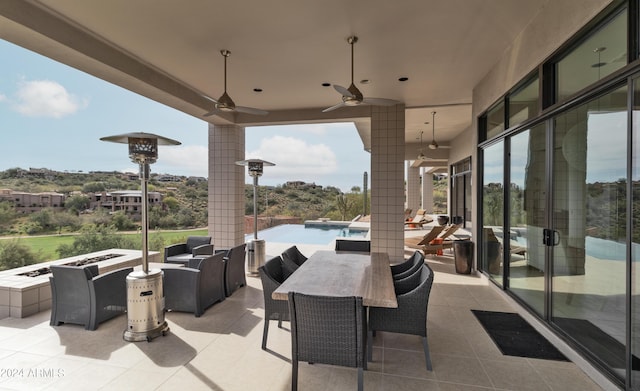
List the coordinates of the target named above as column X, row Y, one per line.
column 515, row 337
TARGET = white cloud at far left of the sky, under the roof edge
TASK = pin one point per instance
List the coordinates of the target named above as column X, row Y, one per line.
column 45, row 98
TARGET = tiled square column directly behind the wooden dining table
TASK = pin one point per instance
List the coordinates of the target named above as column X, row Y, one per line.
column 387, row 180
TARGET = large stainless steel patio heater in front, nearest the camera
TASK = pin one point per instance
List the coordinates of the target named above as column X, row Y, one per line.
column 145, row 296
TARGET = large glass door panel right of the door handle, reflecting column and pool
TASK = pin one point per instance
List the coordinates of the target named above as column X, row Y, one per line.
column 588, row 228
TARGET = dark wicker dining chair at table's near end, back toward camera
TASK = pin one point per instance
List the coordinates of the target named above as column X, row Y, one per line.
column 327, row 330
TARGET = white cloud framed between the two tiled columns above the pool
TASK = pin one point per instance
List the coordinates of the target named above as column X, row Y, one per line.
column 295, row 158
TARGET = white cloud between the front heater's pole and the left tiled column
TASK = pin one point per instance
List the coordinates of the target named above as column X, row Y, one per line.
column 187, row 159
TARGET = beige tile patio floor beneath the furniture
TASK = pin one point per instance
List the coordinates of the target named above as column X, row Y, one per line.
column 221, row 351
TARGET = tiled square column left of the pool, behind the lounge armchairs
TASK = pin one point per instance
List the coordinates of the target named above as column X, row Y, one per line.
column 226, row 185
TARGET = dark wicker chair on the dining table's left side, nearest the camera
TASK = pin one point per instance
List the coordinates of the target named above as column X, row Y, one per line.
column 272, row 276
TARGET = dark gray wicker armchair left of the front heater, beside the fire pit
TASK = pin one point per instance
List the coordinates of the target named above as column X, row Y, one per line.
column 80, row 296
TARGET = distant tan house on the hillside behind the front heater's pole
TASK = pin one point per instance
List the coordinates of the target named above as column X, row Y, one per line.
column 129, row 201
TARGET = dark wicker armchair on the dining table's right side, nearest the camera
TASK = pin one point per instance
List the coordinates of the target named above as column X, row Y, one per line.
column 411, row 315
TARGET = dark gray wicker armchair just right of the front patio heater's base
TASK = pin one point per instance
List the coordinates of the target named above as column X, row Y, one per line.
column 196, row 287
